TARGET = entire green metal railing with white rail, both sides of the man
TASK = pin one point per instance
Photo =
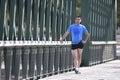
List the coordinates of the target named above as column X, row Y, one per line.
column 30, row 30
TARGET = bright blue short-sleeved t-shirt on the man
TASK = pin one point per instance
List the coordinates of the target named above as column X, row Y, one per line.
column 76, row 31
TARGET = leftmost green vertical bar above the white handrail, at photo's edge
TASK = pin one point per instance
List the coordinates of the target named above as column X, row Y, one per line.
column 3, row 6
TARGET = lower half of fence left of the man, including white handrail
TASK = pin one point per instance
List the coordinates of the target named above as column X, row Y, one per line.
column 33, row 59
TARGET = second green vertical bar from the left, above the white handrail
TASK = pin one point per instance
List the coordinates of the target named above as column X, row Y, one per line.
column 12, row 29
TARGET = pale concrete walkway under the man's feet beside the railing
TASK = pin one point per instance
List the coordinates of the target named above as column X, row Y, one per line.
column 106, row 71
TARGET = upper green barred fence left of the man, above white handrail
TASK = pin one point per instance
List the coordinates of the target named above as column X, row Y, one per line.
column 35, row 19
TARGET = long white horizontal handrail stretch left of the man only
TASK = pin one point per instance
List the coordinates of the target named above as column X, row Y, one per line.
column 32, row 43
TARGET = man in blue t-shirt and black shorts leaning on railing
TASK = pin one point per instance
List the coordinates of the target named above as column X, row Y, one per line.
column 77, row 30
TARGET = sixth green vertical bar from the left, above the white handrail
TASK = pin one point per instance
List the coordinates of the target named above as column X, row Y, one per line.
column 42, row 19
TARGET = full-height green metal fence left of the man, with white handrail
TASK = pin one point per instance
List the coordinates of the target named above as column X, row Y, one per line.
column 30, row 30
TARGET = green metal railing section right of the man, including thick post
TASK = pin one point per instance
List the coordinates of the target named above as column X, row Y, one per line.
column 100, row 19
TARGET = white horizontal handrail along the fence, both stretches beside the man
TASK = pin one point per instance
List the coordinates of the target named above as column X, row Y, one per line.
column 37, row 43
